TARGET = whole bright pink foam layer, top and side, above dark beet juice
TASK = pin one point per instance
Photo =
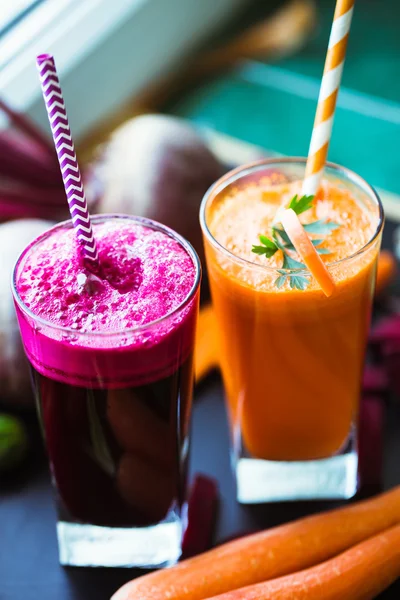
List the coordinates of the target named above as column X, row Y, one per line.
column 99, row 330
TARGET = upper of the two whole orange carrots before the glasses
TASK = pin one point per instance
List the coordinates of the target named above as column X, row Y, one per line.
column 268, row 554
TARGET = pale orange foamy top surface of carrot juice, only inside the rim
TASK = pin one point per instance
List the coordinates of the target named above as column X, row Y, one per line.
column 238, row 218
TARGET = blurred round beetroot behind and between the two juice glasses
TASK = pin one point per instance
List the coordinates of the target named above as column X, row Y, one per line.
column 158, row 167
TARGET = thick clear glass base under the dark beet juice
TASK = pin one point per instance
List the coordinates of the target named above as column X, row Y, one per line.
column 83, row 545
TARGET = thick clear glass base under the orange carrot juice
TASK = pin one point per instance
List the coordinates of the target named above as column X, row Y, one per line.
column 273, row 481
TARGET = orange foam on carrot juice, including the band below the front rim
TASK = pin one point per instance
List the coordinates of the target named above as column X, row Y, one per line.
column 237, row 219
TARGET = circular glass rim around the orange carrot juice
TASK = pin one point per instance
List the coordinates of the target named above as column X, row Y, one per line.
column 238, row 172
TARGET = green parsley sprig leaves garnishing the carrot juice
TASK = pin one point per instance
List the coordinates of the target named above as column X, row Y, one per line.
column 281, row 241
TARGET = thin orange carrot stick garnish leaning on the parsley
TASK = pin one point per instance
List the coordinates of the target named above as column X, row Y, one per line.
column 305, row 249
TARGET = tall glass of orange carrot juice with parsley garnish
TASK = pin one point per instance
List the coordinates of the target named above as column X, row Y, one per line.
column 291, row 357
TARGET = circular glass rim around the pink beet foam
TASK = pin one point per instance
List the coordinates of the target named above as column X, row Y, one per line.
column 187, row 246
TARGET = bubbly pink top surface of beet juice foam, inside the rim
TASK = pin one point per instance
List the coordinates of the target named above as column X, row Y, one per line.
column 144, row 275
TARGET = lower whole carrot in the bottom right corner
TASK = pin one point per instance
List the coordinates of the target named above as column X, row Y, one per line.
column 360, row 573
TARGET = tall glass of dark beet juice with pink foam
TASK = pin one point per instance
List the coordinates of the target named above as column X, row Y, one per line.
column 111, row 355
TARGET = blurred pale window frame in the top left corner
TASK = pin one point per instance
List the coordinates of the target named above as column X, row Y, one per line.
column 107, row 51
